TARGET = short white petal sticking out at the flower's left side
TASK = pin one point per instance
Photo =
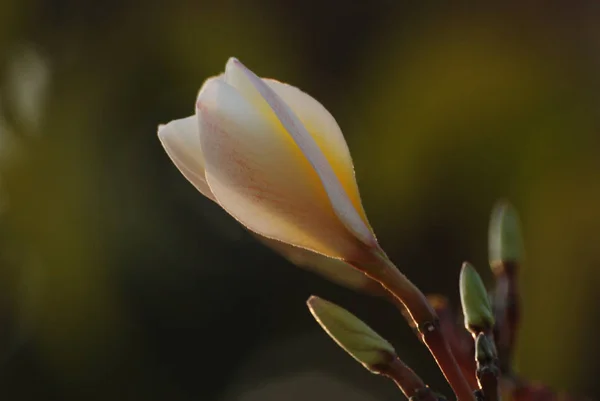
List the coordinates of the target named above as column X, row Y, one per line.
column 181, row 140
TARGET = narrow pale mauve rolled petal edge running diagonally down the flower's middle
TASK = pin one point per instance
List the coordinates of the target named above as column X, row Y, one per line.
column 339, row 199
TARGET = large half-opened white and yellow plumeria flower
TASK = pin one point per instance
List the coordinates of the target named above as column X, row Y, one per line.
column 276, row 160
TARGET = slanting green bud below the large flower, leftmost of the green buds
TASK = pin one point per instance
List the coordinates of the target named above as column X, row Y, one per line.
column 350, row 333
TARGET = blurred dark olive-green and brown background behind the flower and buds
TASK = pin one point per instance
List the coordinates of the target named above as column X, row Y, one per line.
column 119, row 281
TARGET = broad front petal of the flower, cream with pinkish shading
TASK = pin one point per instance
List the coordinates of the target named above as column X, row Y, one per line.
column 260, row 176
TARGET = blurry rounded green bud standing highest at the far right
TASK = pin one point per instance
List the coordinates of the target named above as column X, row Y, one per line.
column 505, row 238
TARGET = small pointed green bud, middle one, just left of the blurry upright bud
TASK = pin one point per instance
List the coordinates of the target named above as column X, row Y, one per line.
column 475, row 300
